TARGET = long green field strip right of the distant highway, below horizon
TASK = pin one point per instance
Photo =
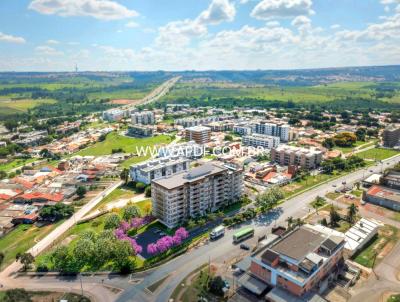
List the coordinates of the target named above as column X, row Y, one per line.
column 319, row 93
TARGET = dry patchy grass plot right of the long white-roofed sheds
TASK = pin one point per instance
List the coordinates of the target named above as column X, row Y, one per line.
column 386, row 235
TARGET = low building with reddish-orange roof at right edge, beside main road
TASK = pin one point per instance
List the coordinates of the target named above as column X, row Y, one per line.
column 383, row 196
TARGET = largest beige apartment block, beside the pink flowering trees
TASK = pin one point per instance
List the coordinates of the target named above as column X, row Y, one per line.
column 194, row 193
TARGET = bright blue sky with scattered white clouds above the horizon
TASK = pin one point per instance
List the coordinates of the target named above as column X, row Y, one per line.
column 54, row 35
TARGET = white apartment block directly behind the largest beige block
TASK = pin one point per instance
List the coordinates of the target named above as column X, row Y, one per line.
column 157, row 168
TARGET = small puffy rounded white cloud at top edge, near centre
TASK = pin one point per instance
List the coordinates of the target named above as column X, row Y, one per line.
column 217, row 12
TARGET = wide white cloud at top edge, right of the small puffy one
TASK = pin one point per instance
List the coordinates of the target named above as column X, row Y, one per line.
column 269, row 9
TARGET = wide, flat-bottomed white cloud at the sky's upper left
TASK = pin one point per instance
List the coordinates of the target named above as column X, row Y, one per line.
column 99, row 9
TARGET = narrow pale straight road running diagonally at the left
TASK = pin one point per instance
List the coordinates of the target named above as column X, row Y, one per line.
column 52, row 237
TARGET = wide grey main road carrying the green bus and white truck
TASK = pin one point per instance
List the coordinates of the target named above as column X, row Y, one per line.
column 221, row 249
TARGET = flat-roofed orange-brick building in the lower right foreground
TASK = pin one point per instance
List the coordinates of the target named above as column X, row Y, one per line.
column 303, row 260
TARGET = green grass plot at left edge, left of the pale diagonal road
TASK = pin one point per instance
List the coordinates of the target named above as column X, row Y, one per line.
column 22, row 238
